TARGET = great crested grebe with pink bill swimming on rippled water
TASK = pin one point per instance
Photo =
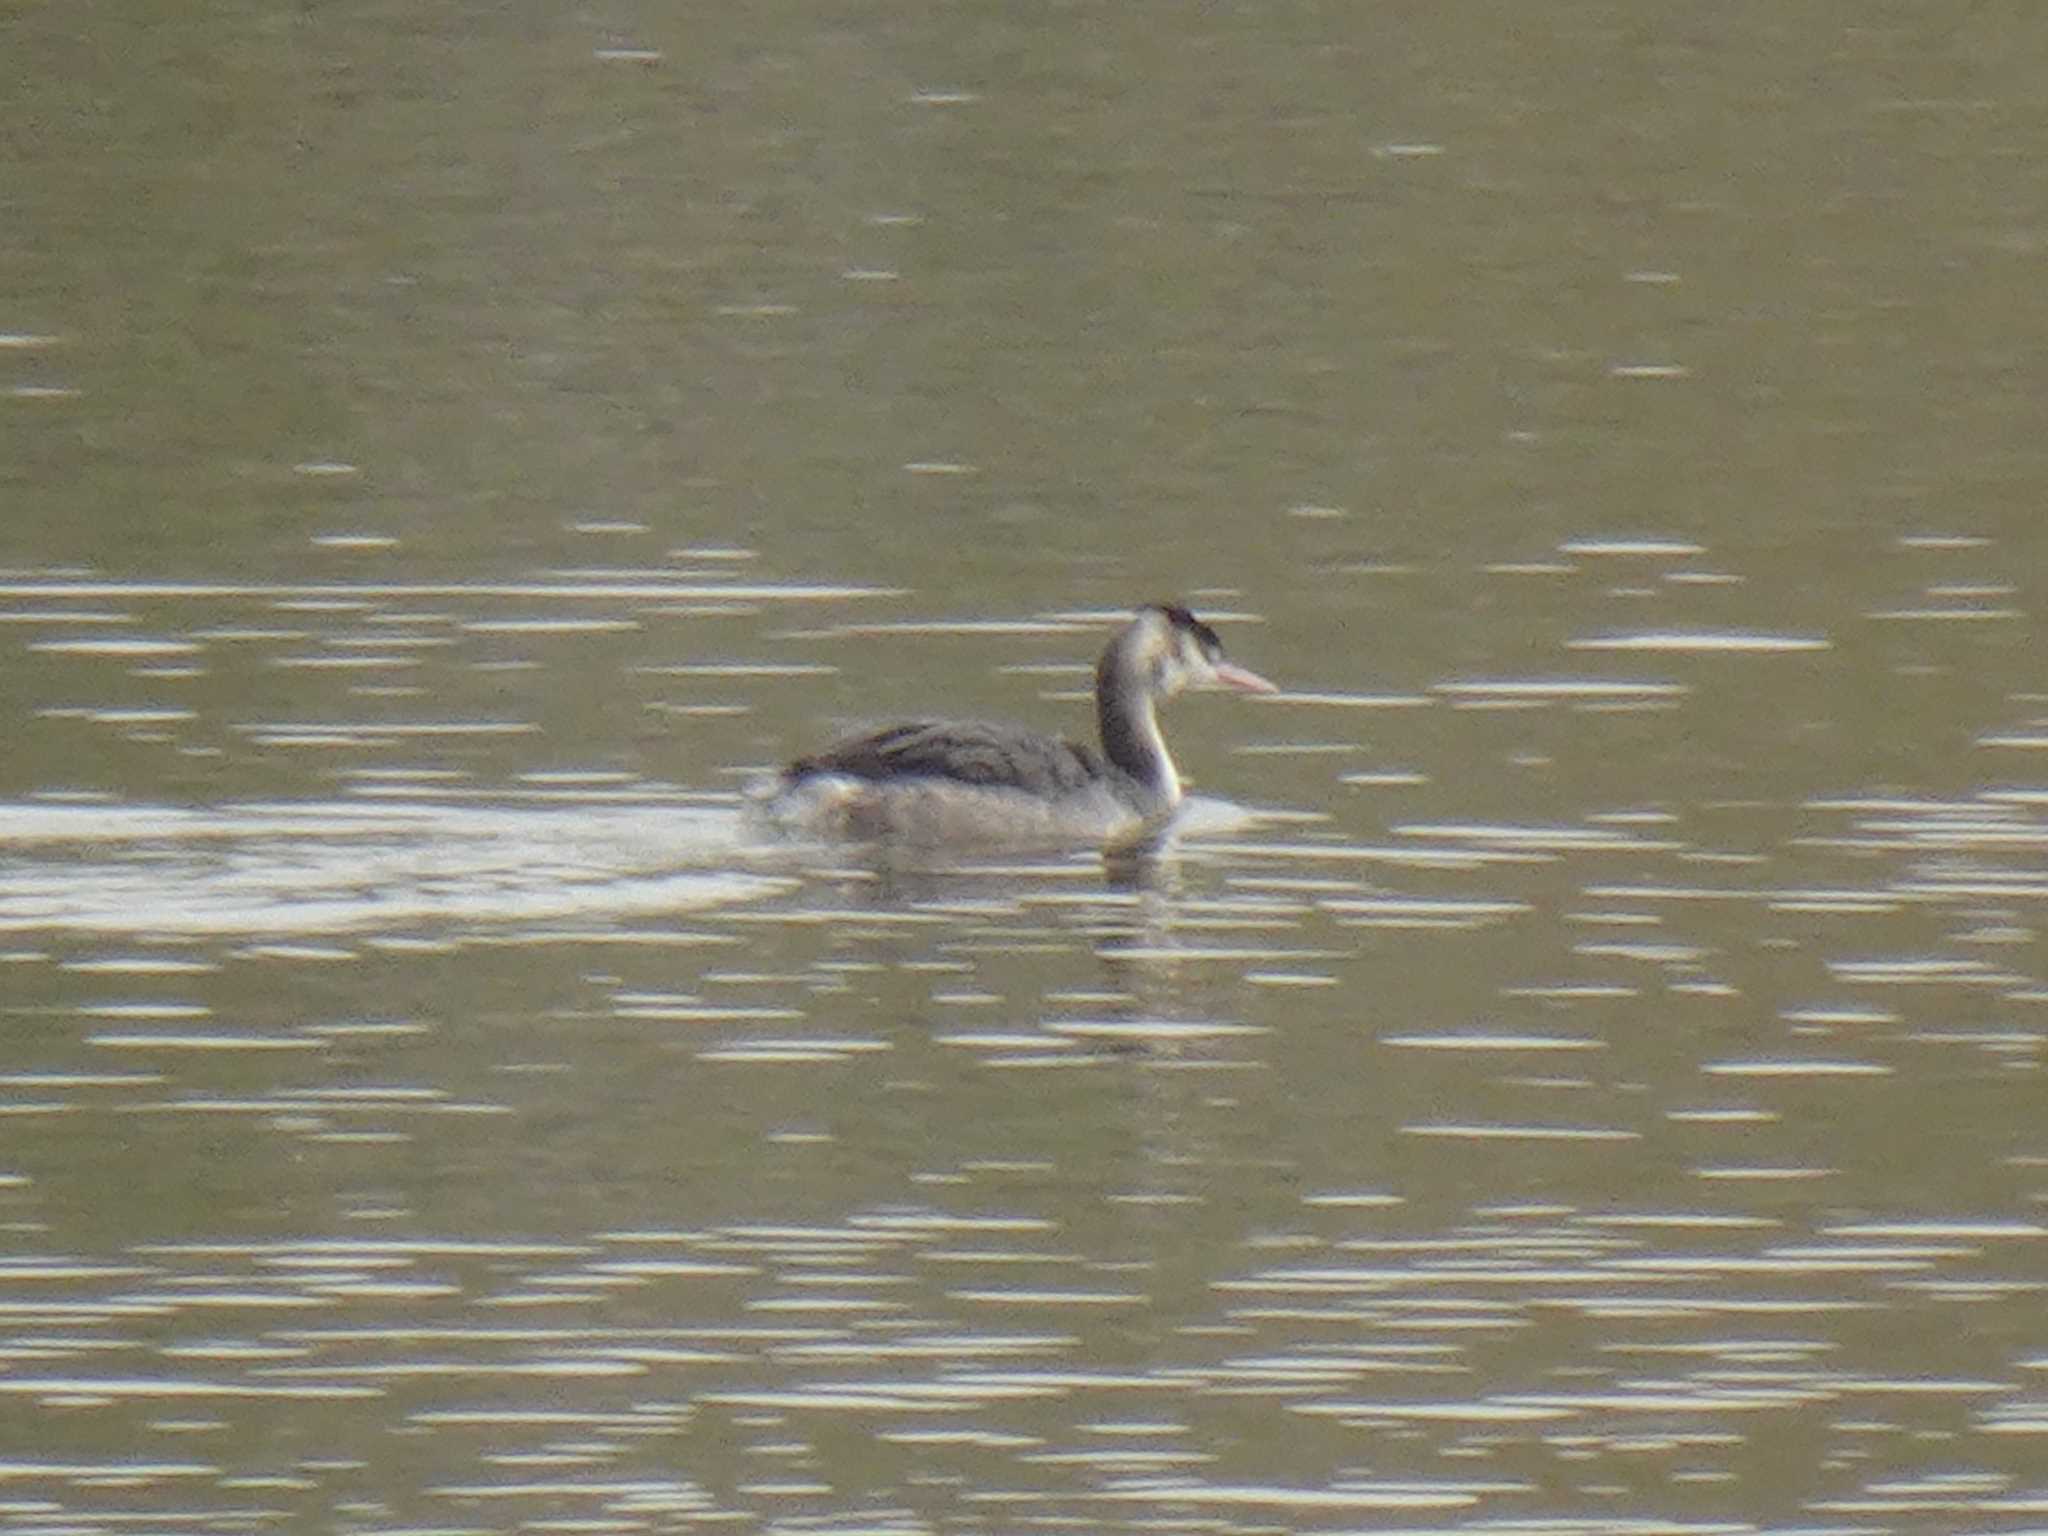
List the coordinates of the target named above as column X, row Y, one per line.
column 959, row 781
